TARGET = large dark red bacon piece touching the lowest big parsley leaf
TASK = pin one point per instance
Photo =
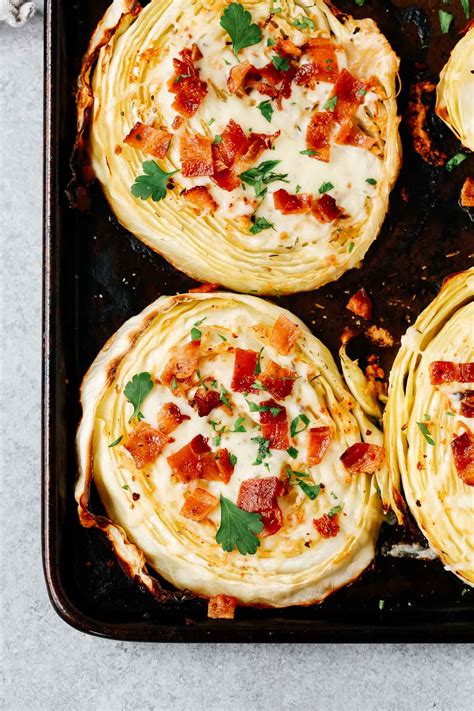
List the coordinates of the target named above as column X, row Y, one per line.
column 260, row 496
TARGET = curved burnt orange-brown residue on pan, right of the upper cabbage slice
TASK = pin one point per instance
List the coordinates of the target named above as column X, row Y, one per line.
column 421, row 97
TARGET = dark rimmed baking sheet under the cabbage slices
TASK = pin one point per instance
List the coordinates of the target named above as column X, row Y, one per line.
column 97, row 275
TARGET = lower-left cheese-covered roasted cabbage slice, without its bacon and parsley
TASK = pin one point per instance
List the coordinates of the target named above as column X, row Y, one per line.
column 295, row 565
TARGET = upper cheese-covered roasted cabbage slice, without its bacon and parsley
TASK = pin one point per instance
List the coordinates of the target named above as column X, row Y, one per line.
column 130, row 84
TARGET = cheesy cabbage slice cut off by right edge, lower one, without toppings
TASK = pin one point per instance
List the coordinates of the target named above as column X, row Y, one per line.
column 441, row 503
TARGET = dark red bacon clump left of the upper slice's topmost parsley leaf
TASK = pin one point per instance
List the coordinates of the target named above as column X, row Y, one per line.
column 190, row 90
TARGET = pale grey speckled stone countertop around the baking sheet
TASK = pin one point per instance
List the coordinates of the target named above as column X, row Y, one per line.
column 47, row 665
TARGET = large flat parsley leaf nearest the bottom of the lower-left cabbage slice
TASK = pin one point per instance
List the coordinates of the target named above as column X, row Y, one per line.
column 238, row 529
